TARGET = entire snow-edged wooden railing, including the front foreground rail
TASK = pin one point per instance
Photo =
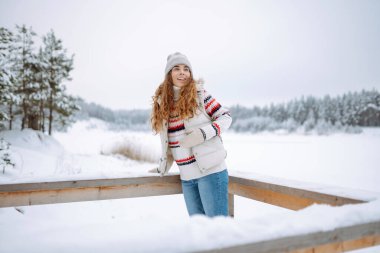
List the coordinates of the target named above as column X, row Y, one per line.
column 339, row 240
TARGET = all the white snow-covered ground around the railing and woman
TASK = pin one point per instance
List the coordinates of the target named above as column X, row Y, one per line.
column 161, row 224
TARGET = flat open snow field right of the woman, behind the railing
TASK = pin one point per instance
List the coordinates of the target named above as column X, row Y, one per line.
column 337, row 160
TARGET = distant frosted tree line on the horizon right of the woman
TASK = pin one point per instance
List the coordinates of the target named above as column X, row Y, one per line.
column 346, row 112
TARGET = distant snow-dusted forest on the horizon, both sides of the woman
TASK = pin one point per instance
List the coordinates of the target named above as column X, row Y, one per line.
column 346, row 113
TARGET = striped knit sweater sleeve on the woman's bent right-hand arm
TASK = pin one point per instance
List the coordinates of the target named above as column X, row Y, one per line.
column 220, row 117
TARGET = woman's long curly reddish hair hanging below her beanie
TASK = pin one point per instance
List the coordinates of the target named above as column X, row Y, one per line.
column 164, row 105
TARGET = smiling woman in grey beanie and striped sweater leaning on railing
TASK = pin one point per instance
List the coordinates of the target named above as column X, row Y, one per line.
column 190, row 122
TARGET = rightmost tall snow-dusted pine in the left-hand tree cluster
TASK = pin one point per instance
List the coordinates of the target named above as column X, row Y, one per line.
column 58, row 67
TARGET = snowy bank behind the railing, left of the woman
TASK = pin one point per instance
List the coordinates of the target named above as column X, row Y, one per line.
column 77, row 155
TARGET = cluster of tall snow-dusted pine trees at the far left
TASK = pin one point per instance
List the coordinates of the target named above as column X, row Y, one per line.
column 31, row 80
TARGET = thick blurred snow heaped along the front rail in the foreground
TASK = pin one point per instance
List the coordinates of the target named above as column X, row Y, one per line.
column 82, row 230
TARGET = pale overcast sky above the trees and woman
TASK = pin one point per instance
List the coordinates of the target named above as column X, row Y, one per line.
column 248, row 52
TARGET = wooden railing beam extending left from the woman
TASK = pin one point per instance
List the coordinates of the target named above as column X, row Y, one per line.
column 84, row 190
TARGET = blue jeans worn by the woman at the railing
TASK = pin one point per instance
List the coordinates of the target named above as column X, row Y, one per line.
column 207, row 195
